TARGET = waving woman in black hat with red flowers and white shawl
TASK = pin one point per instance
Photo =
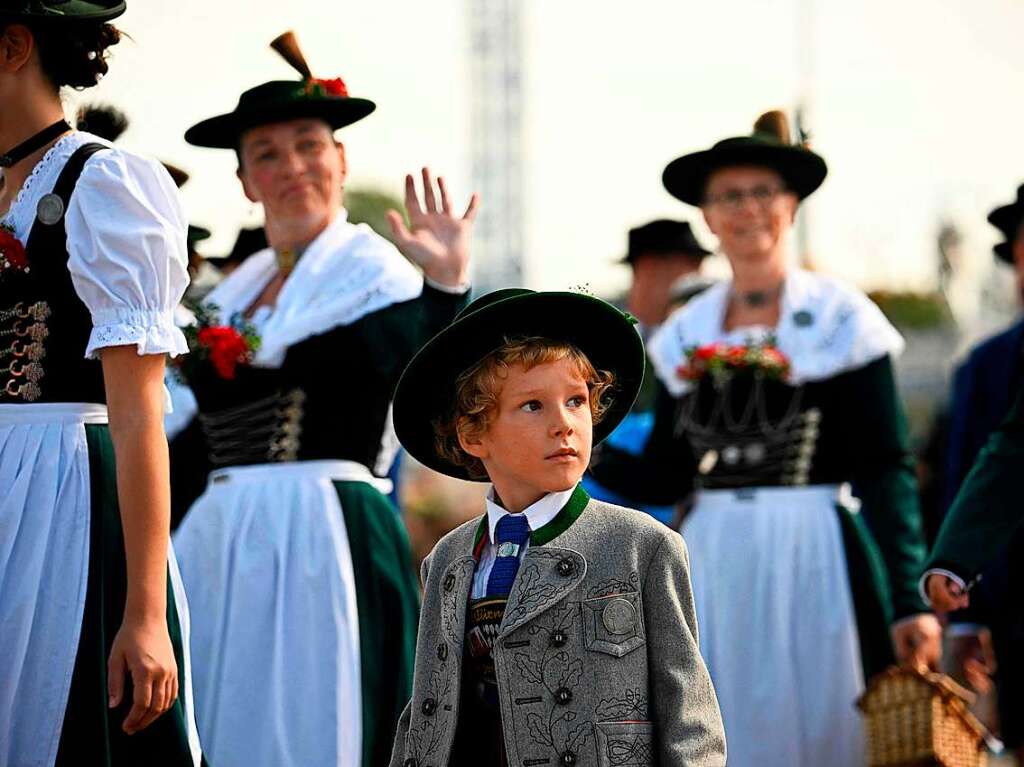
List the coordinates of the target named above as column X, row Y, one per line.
column 305, row 601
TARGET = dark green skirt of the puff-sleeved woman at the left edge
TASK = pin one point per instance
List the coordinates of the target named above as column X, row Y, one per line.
column 92, row 733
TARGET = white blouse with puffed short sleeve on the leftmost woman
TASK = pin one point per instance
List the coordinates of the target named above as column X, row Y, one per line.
column 126, row 243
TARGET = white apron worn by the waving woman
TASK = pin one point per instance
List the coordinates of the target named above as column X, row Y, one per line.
column 266, row 559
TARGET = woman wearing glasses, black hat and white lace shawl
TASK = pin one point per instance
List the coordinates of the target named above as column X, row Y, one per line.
column 779, row 411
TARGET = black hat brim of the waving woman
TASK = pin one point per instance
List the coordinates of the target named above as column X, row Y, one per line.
column 225, row 132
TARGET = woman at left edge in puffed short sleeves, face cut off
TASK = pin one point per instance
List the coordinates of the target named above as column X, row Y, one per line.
column 94, row 631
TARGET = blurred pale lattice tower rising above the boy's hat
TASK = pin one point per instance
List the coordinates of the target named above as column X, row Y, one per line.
column 496, row 81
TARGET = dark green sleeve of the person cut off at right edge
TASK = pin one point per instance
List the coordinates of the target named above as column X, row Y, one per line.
column 988, row 510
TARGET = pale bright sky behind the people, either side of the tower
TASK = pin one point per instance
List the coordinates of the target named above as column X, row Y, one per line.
column 916, row 105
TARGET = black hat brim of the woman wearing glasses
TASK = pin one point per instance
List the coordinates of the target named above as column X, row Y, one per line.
column 687, row 178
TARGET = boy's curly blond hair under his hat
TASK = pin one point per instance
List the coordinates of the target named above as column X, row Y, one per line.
column 479, row 389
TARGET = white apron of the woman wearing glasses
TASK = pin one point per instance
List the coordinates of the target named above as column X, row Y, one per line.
column 778, row 625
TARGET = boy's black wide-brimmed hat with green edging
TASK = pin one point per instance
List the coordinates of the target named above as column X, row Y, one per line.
column 426, row 391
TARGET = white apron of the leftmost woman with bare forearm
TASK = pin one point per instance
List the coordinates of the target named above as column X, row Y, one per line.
column 45, row 567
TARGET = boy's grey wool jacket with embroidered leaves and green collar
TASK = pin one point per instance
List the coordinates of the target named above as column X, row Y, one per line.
column 598, row 658
